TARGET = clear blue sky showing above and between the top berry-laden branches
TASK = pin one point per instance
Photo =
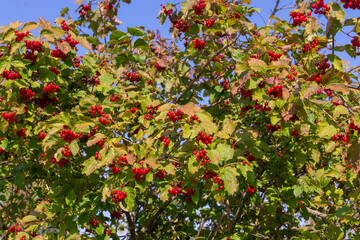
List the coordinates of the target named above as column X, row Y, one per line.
column 138, row 13
